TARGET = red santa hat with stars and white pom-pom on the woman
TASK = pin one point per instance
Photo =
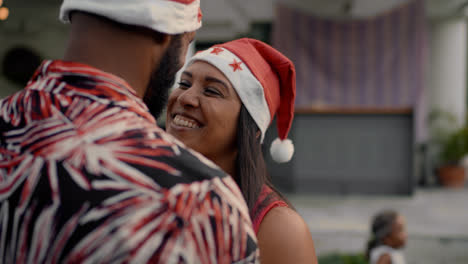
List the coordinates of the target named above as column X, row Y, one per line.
column 265, row 81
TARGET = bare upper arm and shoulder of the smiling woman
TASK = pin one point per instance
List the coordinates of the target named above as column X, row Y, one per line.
column 284, row 237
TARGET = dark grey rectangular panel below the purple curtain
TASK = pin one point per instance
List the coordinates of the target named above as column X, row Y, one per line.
column 347, row 154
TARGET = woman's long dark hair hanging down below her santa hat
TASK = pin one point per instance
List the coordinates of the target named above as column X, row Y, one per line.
column 251, row 171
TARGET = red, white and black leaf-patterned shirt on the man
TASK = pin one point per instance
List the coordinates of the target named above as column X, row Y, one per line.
column 86, row 176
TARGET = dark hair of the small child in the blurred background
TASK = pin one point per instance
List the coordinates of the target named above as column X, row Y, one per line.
column 382, row 225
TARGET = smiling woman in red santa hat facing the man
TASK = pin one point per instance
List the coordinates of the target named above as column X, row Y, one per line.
column 226, row 99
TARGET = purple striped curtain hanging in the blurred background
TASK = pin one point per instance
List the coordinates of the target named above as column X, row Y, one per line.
column 376, row 62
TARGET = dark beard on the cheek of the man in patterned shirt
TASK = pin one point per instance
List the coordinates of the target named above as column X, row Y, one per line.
column 163, row 78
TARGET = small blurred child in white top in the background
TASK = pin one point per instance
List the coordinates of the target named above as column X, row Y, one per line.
column 388, row 237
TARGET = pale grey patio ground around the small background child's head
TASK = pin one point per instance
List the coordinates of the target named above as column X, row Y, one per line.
column 437, row 223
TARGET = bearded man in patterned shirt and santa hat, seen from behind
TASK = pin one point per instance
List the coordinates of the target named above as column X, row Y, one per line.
column 85, row 173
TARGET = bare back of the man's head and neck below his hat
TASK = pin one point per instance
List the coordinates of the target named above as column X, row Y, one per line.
column 129, row 55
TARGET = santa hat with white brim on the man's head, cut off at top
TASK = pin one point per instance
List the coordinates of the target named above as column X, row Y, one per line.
column 166, row 16
